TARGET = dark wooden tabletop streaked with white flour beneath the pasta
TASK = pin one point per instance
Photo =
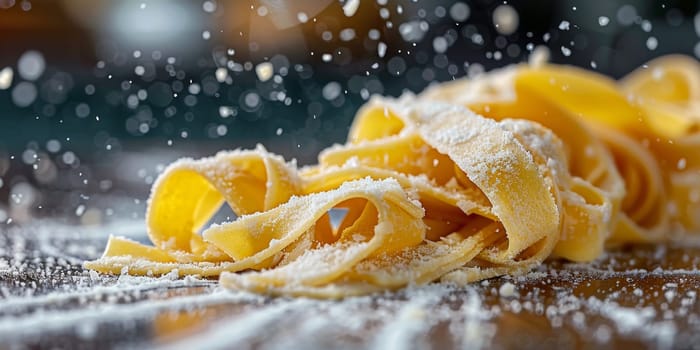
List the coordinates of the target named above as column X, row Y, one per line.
column 635, row 297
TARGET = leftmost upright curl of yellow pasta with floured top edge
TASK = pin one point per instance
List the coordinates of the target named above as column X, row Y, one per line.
column 185, row 198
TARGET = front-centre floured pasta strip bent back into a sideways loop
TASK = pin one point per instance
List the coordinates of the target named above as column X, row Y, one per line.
column 397, row 225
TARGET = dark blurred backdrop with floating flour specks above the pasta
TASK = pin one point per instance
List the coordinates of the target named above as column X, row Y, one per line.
column 96, row 96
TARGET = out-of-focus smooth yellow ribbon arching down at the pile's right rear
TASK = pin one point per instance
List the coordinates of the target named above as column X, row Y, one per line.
column 617, row 122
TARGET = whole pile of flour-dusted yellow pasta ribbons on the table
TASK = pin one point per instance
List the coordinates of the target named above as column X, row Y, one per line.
column 469, row 180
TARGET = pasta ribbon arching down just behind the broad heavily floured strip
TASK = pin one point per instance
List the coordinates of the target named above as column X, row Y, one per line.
column 591, row 195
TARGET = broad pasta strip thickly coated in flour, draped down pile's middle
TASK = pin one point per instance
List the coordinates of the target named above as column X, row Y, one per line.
column 500, row 166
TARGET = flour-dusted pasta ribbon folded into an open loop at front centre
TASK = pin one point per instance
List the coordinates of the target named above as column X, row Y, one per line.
column 384, row 221
